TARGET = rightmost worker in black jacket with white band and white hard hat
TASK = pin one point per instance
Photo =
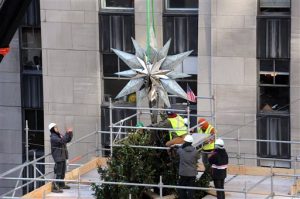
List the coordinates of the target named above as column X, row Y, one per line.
column 219, row 160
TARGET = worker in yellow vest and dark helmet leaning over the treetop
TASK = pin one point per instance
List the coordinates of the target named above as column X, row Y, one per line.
column 174, row 121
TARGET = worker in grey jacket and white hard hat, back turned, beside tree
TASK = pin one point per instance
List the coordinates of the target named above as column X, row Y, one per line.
column 188, row 156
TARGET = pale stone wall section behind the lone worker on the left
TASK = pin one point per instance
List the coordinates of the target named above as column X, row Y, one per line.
column 71, row 68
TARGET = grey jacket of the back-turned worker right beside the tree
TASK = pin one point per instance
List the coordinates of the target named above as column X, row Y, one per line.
column 188, row 161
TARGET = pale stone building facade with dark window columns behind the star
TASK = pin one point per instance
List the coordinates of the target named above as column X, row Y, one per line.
column 245, row 69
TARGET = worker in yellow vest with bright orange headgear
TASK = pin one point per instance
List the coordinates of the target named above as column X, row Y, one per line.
column 209, row 144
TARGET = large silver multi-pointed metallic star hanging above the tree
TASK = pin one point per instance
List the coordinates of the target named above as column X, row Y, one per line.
column 153, row 75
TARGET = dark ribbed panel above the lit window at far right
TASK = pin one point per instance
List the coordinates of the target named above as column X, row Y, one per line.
column 273, row 38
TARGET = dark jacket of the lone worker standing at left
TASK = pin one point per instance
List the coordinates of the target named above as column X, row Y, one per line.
column 58, row 146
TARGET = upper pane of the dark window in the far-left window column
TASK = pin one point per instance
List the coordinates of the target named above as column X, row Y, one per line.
column 31, row 37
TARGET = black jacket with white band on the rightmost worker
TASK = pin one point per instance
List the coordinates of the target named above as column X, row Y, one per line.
column 219, row 162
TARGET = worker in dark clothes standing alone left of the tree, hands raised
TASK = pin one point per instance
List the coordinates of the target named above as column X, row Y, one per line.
column 60, row 155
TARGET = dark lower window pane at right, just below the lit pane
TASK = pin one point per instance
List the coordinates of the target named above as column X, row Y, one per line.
column 274, row 99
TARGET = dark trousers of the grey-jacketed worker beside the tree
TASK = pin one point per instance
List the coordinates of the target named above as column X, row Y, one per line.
column 186, row 181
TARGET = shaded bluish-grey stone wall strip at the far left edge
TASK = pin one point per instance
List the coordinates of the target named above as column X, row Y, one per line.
column 10, row 114
